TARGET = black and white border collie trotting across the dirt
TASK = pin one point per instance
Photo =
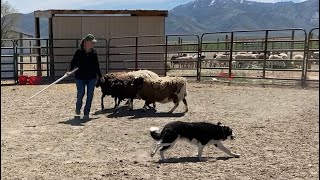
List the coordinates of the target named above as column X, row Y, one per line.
column 197, row 133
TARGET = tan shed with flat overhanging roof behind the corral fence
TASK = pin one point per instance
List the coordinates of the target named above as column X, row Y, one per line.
column 67, row 27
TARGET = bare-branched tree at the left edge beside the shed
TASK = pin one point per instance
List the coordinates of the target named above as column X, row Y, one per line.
column 9, row 18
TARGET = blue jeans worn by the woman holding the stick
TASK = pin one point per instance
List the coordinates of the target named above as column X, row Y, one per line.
column 80, row 93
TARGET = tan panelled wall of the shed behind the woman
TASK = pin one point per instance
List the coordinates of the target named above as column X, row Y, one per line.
column 105, row 27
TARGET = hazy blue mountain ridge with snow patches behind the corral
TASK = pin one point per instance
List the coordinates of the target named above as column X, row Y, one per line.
column 201, row 16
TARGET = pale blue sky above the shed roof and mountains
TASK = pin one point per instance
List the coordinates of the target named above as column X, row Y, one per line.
column 27, row 6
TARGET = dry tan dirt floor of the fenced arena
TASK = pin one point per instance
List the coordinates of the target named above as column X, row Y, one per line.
column 277, row 135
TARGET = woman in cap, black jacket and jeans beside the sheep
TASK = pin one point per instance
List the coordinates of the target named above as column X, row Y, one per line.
column 86, row 59
